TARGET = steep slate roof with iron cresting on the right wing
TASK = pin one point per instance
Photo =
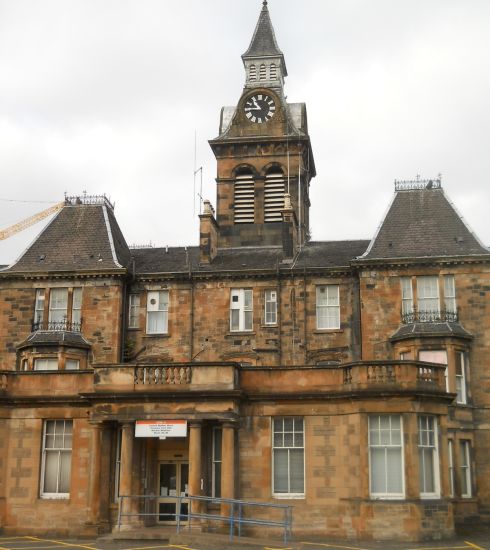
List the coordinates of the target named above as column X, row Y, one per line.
column 422, row 223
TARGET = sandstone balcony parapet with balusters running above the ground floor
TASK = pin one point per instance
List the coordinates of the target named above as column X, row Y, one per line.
column 228, row 378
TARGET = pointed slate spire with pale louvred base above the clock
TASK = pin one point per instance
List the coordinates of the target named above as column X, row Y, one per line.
column 264, row 61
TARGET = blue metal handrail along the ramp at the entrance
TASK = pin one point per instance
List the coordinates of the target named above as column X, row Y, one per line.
column 235, row 518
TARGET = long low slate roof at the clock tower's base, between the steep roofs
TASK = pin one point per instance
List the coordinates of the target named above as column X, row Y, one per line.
column 328, row 254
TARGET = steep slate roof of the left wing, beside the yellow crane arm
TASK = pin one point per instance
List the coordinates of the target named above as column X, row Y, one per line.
column 83, row 236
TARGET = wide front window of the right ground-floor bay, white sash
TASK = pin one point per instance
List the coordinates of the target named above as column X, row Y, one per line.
column 394, row 444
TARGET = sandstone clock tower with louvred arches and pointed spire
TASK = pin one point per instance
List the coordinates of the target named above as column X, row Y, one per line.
column 264, row 157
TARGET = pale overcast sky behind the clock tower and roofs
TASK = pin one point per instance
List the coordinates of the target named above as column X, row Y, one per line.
column 107, row 96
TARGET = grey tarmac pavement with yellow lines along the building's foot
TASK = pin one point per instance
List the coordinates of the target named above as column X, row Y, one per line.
column 477, row 539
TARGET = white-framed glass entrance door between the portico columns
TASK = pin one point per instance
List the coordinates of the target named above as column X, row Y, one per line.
column 173, row 482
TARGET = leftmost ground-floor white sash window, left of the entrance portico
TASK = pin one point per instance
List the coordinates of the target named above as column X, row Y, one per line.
column 66, row 448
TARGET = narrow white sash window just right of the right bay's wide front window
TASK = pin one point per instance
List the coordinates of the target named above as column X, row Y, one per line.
column 428, row 456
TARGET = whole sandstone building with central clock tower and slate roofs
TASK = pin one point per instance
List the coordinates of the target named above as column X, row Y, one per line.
column 346, row 378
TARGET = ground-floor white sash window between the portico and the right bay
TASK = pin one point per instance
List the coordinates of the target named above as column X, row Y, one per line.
column 288, row 437
